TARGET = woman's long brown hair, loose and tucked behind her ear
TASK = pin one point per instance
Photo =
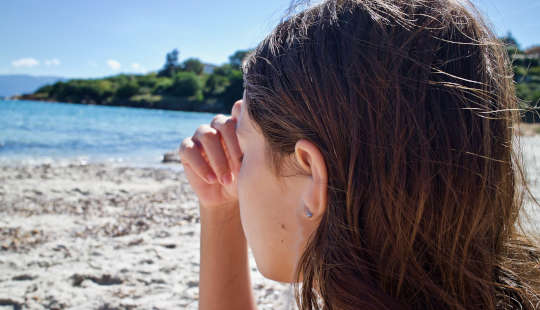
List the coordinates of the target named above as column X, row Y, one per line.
column 412, row 105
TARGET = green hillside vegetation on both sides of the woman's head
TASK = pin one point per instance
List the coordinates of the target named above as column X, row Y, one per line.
column 194, row 86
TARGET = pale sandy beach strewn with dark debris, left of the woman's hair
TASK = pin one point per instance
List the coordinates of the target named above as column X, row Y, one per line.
column 95, row 236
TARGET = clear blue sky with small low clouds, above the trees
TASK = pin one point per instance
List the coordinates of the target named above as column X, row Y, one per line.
column 87, row 39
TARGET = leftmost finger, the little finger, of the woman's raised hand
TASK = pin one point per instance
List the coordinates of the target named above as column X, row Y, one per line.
column 191, row 156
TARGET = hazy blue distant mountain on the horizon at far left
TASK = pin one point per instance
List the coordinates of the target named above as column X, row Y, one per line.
column 18, row 84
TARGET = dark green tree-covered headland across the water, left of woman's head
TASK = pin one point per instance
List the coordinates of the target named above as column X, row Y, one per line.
column 188, row 86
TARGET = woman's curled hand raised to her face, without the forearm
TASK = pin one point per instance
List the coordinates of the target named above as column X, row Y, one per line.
column 212, row 160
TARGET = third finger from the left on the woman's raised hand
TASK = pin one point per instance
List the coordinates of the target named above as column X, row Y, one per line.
column 226, row 126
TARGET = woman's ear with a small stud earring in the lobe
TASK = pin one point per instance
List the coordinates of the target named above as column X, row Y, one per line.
column 315, row 190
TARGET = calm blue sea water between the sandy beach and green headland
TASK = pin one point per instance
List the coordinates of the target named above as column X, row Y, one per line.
column 37, row 132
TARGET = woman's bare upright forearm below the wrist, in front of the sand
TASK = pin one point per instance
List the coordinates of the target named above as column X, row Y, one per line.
column 224, row 272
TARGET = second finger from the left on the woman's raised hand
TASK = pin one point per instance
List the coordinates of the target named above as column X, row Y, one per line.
column 210, row 141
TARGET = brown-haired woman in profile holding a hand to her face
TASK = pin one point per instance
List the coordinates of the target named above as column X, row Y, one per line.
column 371, row 161
